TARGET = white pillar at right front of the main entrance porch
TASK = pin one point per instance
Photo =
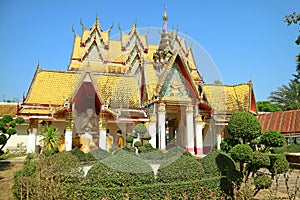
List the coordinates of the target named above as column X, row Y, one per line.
column 190, row 129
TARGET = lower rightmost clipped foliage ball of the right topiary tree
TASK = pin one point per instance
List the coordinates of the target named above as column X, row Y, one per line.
column 278, row 164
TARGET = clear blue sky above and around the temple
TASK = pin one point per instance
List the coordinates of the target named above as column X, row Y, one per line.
column 244, row 38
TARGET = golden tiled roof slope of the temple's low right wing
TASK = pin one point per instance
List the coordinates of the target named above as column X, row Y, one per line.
column 226, row 99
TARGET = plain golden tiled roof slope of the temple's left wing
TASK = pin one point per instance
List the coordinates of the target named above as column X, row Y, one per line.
column 51, row 87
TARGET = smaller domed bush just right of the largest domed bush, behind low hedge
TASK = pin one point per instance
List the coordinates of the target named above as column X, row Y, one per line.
column 182, row 168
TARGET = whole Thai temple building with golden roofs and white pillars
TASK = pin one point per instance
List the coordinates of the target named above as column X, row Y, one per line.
column 113, row 85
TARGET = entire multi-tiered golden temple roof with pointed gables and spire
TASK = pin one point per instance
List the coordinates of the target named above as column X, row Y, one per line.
column 130, row 73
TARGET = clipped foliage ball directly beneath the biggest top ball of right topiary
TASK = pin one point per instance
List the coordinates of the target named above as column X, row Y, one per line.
column 241, row 153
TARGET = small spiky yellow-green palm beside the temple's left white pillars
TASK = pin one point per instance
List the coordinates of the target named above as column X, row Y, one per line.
column 50, row 137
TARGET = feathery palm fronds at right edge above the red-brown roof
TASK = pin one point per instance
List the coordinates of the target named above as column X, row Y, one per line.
column 287, row 96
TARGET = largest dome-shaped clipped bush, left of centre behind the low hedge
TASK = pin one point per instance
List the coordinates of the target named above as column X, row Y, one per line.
column 121, row 169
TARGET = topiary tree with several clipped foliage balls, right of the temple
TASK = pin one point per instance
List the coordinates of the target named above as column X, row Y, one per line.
column 250, row 148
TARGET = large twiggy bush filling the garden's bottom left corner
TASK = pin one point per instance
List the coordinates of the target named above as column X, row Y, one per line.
column 53, row 178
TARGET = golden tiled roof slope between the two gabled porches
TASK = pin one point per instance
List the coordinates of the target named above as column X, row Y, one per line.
column 118, row 91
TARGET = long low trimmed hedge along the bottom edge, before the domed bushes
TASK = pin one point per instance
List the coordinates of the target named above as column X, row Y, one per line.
column 198, row 189
